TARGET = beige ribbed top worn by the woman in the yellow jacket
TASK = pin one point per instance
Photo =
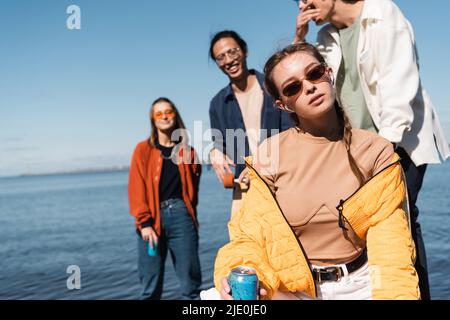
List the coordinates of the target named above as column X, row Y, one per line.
column 309, row 176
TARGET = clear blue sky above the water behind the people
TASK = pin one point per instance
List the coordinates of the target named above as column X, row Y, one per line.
column 76, row 99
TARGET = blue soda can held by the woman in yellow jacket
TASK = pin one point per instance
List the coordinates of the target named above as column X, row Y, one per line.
column 243, row 282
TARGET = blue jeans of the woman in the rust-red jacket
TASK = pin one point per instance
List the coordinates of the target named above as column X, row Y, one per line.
column 178, row 235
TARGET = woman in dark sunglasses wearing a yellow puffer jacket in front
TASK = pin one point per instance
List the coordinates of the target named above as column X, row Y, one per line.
column 323, row 218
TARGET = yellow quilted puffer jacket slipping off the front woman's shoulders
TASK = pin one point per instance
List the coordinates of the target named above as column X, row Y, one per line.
column 261, row 238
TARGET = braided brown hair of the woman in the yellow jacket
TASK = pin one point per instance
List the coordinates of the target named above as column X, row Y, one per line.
column 273, row 91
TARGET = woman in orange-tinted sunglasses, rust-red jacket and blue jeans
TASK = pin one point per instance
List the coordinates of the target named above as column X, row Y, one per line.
column 163, row 188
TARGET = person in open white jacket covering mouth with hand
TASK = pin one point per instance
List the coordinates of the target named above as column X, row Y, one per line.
column 370, row 46
